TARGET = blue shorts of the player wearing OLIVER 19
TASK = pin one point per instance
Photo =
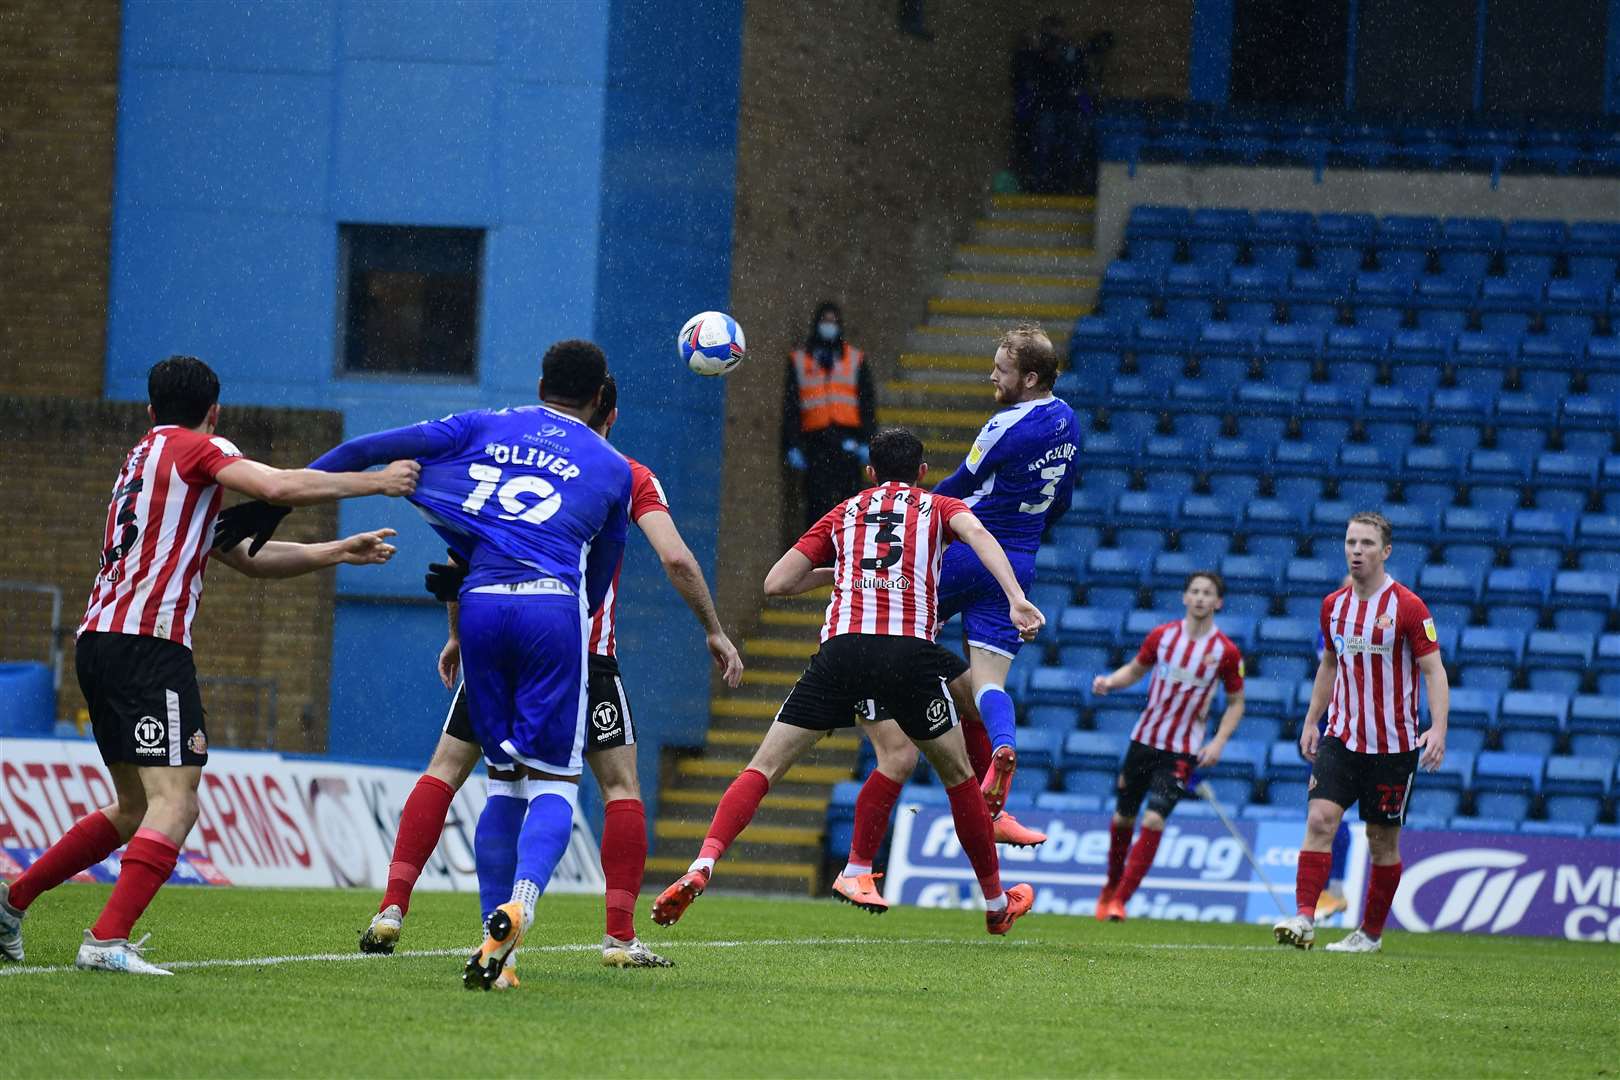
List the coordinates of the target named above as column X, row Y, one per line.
column 524, row 665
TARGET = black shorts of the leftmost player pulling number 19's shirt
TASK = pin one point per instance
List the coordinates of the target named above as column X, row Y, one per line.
column 143, row 699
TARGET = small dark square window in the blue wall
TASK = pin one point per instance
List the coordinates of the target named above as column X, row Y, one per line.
column 409, row 299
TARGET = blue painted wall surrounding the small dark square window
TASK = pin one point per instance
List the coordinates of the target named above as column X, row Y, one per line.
column 599, row 158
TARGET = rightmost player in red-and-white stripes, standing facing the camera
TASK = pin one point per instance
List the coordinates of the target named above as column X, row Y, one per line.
column 1379, row 640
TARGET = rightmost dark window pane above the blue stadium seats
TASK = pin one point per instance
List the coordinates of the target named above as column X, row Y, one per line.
column 1546, row 59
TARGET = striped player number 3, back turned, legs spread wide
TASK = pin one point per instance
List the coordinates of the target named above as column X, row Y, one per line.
column 877, row 652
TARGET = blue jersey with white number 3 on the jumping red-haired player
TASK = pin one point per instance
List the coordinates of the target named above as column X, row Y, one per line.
column 1020, row 474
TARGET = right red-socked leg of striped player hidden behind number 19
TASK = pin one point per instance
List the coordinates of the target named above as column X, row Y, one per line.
column 625, row 857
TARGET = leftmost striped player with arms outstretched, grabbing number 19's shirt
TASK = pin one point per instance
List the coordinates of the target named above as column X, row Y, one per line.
column 134, row 653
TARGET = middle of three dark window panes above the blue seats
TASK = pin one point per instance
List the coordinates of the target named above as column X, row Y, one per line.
column 1417, row 56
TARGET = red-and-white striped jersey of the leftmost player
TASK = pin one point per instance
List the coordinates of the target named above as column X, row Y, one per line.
column 160, row 535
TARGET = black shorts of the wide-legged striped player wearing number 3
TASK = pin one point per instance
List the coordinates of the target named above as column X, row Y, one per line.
column 866, row 673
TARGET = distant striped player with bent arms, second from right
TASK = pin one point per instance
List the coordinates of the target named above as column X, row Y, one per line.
column 1187, row 658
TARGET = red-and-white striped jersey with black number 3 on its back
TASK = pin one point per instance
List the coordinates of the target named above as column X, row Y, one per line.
column 885, row 548
